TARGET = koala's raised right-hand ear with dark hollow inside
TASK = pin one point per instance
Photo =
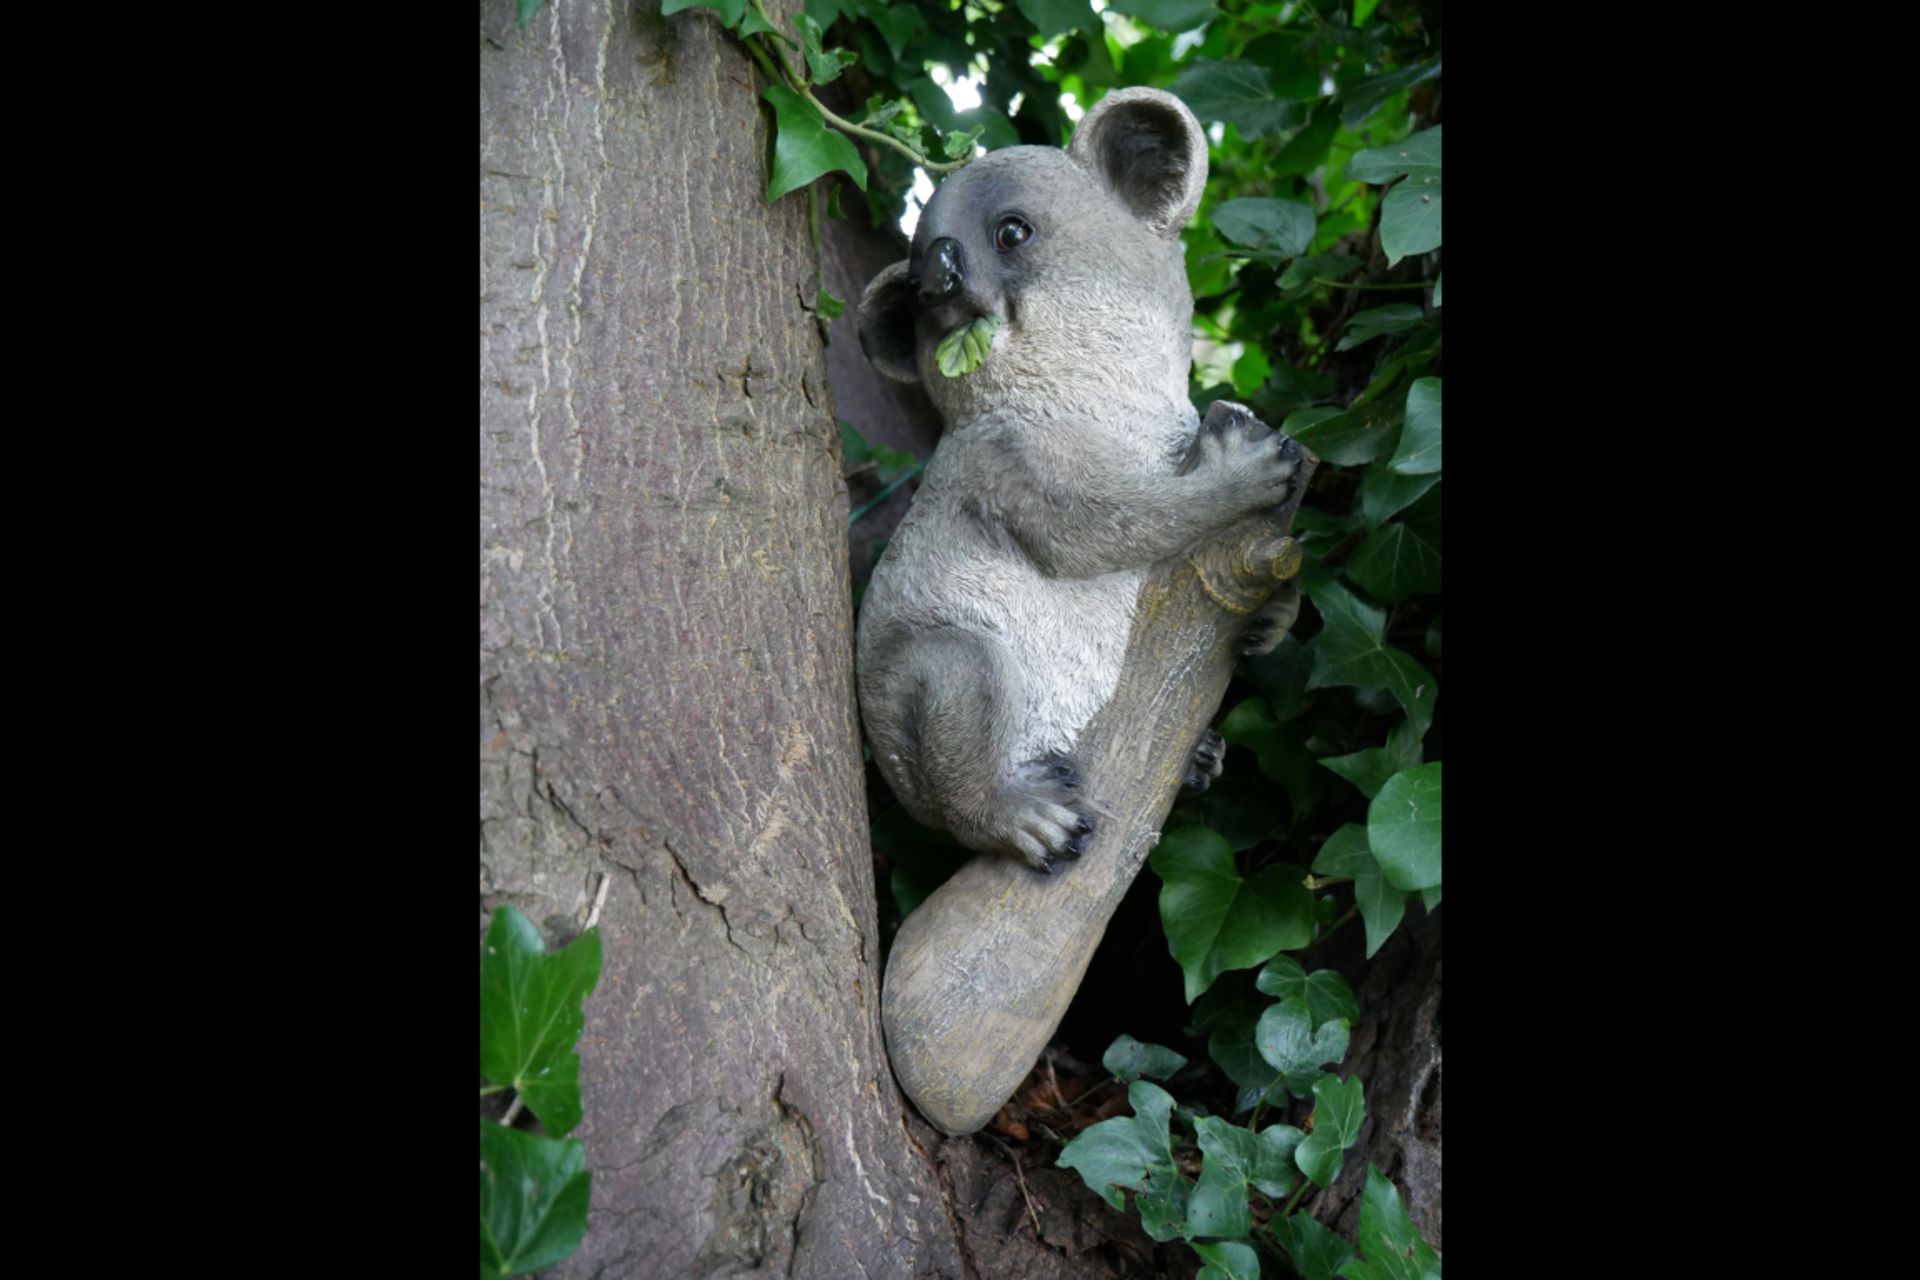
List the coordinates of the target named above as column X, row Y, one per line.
column 1151, row 153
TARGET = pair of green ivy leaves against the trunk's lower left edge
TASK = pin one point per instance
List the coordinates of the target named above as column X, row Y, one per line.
column 533, row 1187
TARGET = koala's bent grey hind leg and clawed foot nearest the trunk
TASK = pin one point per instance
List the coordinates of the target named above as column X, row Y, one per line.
column 957, row 701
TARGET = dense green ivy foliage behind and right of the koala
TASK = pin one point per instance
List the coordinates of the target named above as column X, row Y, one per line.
column 1316, row 273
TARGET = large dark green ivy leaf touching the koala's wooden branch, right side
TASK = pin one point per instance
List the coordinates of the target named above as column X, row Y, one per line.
column 1220, row 922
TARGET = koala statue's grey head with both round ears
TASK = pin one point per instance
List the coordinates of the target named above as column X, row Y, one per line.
column 1078, row 258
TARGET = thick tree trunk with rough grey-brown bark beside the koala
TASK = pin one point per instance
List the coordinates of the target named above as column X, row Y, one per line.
column 667, row 652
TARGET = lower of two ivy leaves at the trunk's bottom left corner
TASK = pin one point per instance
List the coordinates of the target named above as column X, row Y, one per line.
column 533, row 1200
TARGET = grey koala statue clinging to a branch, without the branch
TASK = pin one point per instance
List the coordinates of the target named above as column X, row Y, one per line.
column 997, row 621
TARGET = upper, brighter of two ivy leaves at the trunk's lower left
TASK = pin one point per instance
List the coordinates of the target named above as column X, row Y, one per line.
column 531, row 1016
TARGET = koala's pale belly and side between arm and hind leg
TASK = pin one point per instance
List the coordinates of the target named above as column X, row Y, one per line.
column 1067, row 638
